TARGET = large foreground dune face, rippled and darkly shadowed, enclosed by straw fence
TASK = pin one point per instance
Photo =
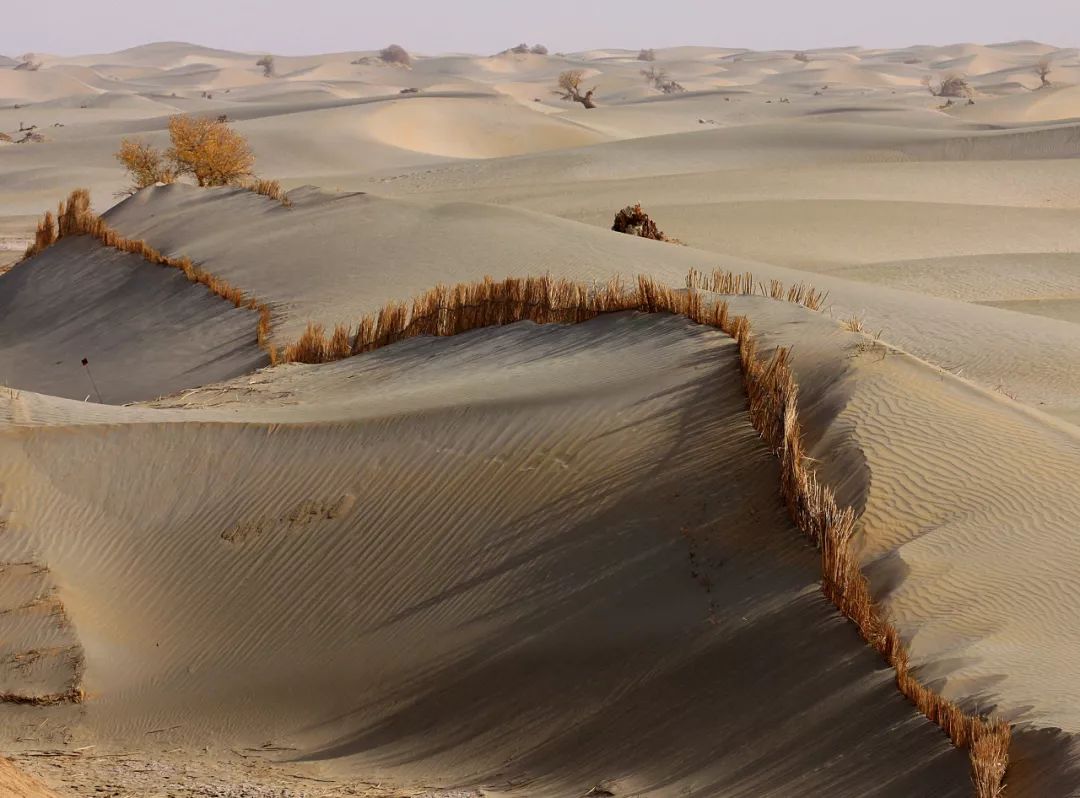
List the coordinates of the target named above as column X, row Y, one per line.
column 379, row 667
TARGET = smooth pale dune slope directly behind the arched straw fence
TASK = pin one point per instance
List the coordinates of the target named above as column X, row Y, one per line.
column 468, row 241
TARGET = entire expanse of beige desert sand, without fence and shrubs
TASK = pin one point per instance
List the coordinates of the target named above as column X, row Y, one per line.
column 541, row 561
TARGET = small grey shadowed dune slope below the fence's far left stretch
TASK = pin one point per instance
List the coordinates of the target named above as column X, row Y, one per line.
column 131, row 322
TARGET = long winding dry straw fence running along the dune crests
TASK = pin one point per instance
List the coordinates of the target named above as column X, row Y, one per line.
column 768, row 381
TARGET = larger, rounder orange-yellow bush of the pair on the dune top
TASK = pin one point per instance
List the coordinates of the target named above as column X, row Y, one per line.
column 209, row 151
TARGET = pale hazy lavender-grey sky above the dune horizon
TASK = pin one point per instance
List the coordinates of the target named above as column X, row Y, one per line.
column 294, row 28
